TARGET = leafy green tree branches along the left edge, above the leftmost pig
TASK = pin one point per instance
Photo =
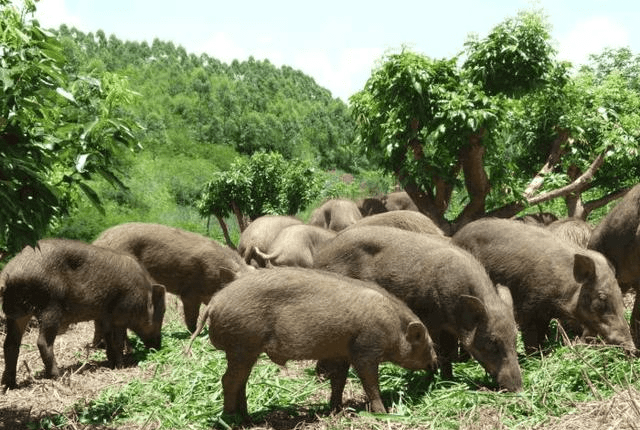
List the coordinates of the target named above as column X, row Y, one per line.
column 56, row 130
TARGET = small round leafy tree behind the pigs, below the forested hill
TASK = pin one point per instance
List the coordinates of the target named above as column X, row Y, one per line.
column 265, row 183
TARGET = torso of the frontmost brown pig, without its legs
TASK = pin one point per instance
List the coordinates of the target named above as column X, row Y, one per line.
column 295, row 313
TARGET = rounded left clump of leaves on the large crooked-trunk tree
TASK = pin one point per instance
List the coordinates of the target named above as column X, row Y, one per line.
column 415, row 114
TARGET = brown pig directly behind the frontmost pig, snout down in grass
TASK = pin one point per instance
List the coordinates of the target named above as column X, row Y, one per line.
column 444, row 285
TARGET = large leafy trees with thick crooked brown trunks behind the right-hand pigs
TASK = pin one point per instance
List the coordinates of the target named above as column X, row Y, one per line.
column 508, row 129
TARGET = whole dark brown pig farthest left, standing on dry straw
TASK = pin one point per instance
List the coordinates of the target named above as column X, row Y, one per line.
column 61, row 282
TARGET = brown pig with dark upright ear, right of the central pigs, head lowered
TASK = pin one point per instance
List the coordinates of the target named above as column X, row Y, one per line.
column 548, row 278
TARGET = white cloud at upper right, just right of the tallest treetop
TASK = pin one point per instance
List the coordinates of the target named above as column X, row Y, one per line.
column 591, row 37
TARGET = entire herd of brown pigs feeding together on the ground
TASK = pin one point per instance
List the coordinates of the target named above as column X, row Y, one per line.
column 357, row 285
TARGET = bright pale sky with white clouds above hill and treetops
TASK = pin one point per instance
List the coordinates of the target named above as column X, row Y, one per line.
column 339, row 42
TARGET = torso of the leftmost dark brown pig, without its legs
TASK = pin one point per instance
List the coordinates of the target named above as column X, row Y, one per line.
column 80, row 277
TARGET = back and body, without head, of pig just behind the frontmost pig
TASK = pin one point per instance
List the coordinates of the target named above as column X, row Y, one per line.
column 425, row 271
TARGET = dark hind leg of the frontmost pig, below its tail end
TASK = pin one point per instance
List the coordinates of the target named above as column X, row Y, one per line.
column 234, row 382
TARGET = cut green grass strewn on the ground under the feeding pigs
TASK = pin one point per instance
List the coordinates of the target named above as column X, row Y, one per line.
column 186, row 392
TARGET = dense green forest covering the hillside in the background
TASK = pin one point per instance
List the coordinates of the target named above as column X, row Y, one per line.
column 195, row 105
